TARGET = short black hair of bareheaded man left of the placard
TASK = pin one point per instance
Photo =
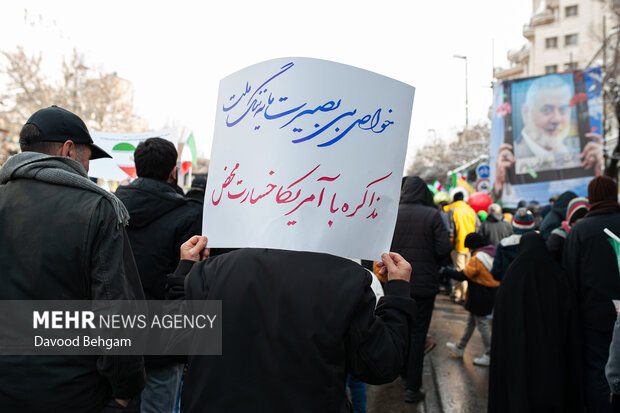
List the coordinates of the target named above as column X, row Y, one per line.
column 155, row 158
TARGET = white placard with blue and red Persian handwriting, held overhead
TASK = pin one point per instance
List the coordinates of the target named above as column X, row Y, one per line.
column 307, row 155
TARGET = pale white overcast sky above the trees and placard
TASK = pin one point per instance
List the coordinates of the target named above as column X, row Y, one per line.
column 176, row 52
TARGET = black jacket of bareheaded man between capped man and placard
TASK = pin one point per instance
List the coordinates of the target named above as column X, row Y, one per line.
column 160, row 221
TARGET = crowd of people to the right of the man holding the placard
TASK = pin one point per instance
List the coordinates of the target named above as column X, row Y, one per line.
column 546, row 278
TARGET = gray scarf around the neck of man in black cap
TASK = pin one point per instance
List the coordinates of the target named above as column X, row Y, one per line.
column 60, row 171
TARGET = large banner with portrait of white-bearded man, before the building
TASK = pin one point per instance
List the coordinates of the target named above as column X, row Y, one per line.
column 545, row 136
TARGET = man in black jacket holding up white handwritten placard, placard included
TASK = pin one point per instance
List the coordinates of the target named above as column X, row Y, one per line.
column 288, row 179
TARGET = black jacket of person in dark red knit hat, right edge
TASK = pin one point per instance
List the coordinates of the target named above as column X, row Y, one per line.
column 592, row 266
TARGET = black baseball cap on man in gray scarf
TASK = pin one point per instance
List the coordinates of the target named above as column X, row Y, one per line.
column 56, row 124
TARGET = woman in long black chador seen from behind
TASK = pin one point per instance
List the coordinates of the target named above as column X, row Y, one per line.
column 536, row 353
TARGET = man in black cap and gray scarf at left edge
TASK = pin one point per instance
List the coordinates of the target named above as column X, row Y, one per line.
column 63, row 238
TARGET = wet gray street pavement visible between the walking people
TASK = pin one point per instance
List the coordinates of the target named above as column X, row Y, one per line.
column 451, row 384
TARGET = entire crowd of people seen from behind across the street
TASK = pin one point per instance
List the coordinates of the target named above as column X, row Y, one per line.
column 539, row 285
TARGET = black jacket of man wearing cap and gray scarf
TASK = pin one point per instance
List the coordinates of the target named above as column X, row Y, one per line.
column 63, row 243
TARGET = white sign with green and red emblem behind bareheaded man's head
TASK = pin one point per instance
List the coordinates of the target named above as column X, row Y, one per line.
column 121, row 147
